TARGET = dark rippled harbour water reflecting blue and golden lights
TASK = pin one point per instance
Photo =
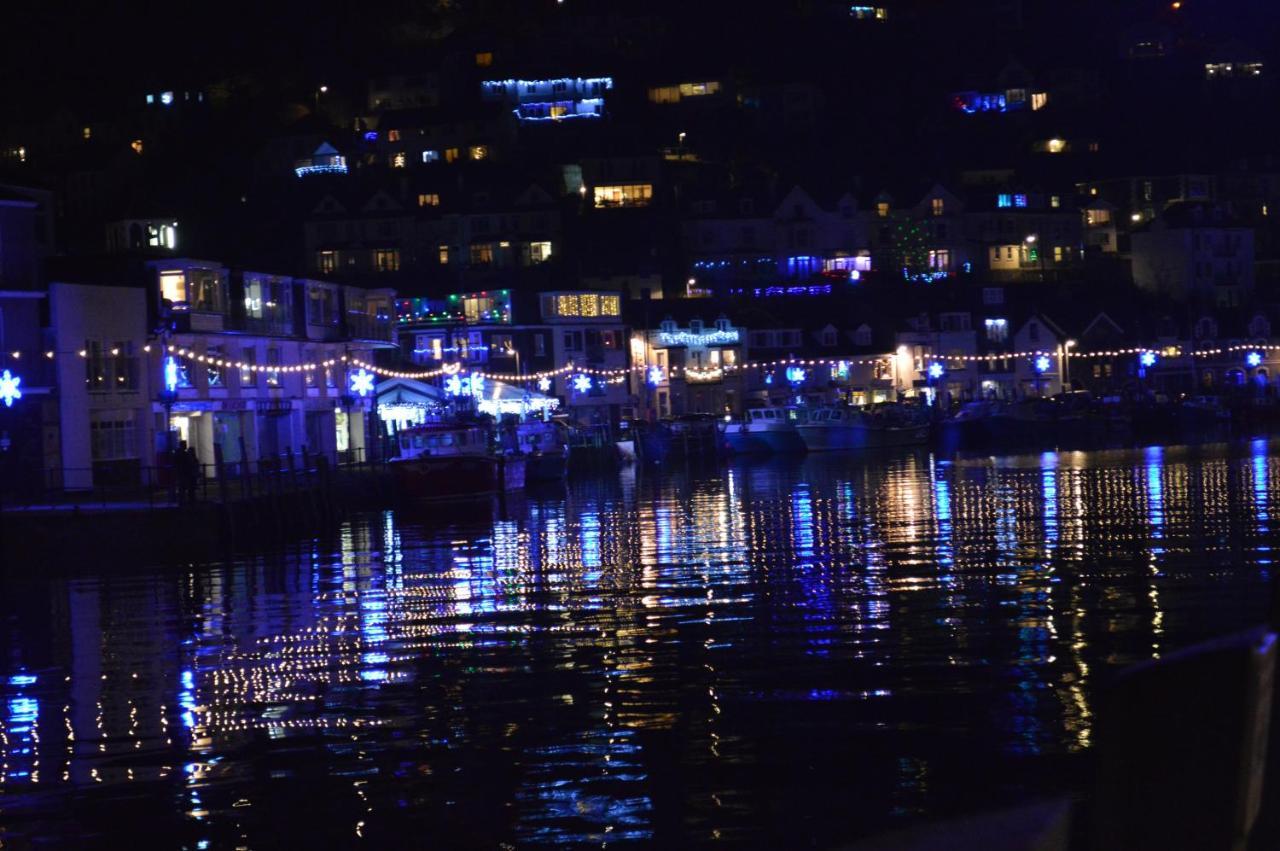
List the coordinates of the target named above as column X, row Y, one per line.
column 775, row 653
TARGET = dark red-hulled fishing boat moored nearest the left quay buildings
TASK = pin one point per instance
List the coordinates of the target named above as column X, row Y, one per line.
column 451, row 461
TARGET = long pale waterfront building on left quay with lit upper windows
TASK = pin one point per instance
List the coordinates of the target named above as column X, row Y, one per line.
column 244, row 367
